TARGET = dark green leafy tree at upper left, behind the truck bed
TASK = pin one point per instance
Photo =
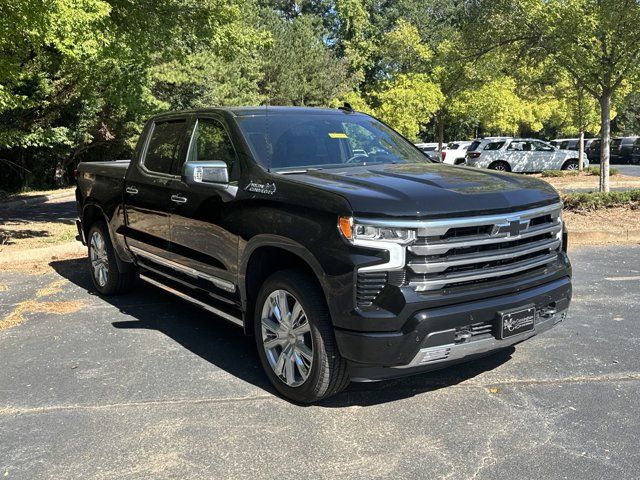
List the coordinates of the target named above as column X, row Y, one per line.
column 79, row 76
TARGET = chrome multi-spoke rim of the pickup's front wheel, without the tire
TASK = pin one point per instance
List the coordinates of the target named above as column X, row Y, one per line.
column 286, row 338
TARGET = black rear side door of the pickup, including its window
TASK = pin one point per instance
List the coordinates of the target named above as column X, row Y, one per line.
column 147, row 194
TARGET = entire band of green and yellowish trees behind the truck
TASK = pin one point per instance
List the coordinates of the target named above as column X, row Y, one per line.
column 79, row 77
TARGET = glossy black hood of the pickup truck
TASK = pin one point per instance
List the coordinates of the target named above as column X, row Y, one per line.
column 429, row 190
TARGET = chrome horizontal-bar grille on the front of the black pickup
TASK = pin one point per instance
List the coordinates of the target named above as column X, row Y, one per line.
column 459, row 251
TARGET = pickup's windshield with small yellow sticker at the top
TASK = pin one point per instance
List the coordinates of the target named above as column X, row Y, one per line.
column 311, row 140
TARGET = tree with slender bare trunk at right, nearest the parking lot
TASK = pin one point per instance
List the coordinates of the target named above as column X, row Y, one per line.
column 596, row 41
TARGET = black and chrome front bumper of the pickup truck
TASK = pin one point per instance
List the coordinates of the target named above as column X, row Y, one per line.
column 432, row 338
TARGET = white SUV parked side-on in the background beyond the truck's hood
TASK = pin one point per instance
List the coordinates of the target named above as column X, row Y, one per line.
column 520, row 155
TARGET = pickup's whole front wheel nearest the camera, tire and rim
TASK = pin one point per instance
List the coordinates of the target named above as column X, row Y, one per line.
column 295, row 339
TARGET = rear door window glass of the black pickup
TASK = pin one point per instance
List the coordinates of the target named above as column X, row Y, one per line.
column 165, row 146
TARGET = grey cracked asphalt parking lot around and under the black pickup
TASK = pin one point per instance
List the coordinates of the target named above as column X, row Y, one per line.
column 147, row 386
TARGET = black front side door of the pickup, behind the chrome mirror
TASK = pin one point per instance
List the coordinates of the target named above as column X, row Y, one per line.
column 202, row 216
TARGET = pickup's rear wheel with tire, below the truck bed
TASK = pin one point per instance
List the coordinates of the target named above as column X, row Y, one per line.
column 108, row 277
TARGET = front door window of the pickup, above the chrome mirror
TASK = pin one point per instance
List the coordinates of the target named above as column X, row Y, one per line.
column 211, row 142
